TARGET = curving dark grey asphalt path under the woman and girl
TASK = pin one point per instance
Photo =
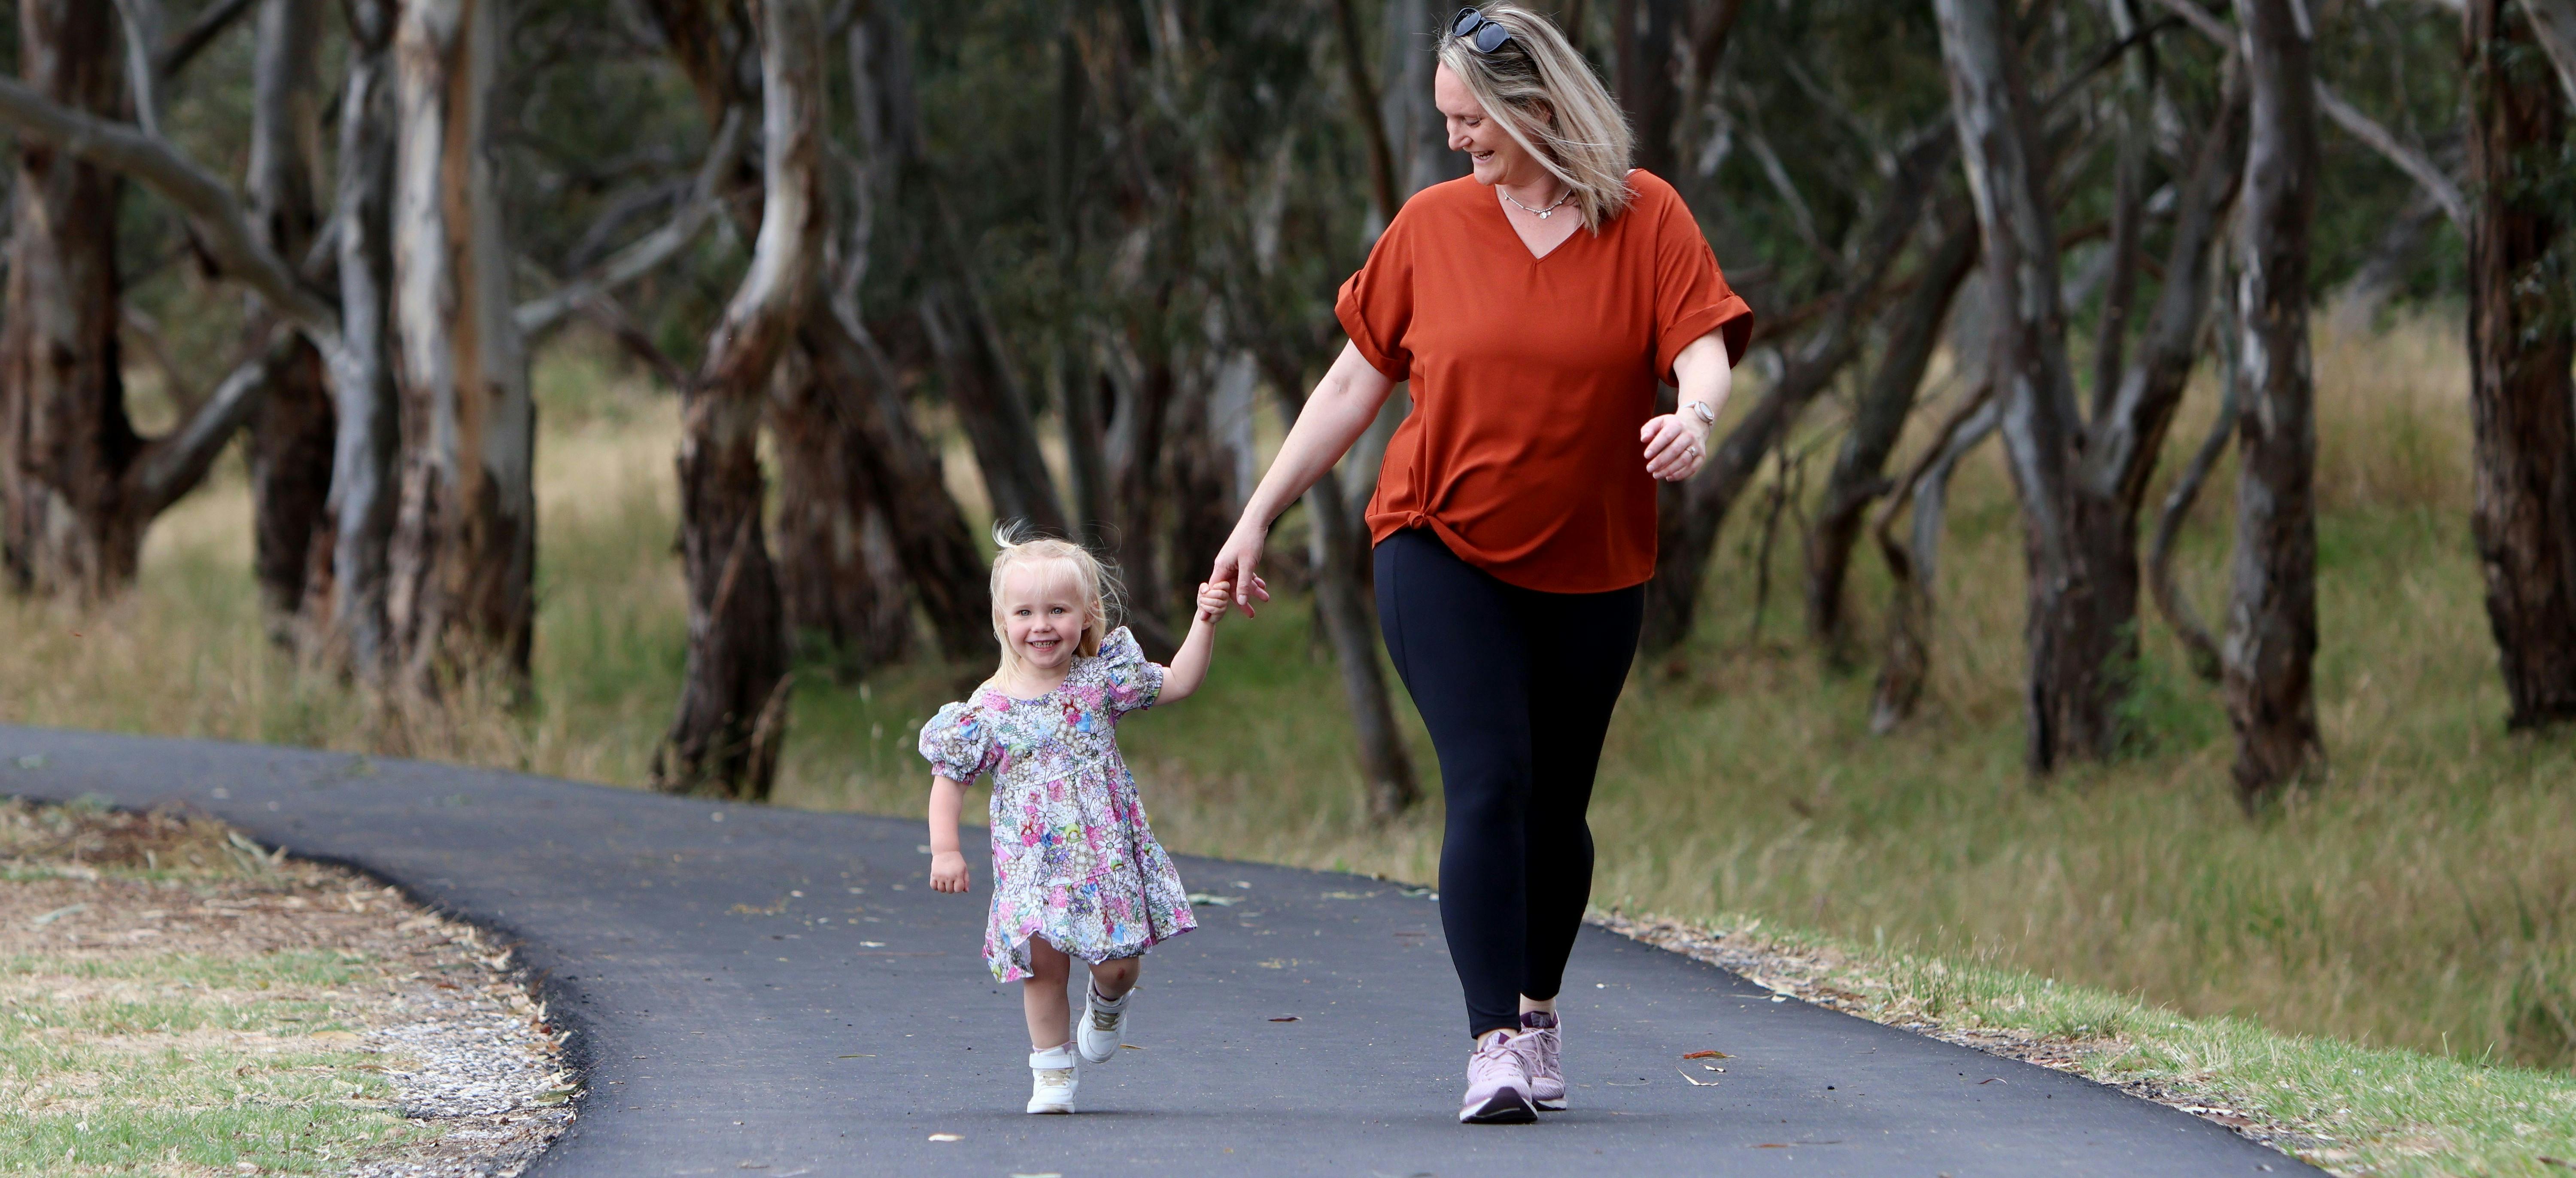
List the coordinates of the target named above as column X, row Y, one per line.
column 779, row 994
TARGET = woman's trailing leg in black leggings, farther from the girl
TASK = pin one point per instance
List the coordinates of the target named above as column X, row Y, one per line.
column 1580, row 651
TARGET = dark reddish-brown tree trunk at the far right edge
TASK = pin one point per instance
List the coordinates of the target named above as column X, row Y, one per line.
column 2521, row 347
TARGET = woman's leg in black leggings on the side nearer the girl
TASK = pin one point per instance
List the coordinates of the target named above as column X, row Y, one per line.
column 1459, row 648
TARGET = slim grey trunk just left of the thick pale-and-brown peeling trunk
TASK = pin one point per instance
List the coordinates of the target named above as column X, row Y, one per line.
column 367, row 409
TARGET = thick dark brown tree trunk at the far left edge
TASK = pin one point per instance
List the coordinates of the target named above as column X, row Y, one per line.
column 63, row 403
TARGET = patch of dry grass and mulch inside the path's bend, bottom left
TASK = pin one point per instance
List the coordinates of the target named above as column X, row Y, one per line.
column 179, row 1001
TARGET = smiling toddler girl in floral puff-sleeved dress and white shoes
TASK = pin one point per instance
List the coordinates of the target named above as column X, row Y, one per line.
column 1075, row 870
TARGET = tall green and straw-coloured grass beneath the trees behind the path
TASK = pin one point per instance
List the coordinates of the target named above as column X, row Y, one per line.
column 2420, row 896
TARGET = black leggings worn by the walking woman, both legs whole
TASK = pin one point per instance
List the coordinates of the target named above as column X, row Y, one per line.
column 1516, row 690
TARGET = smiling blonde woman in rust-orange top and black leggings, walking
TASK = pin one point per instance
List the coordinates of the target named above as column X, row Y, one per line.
column 1534, row 313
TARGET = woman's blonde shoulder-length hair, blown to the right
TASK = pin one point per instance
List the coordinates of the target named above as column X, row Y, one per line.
column 1549, row 102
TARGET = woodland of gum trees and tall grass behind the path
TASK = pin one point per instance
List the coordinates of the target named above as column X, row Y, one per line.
column 622, row 388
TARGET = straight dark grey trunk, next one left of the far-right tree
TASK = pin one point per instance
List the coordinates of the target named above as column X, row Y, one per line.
column 2271, row 643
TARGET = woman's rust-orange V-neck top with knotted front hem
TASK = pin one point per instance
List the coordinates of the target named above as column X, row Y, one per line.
column 1531, row 378
